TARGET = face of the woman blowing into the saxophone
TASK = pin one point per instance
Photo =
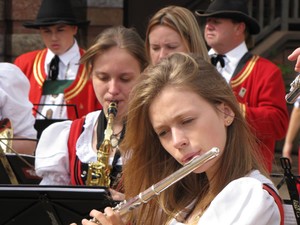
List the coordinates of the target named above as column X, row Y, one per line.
column 114, row 73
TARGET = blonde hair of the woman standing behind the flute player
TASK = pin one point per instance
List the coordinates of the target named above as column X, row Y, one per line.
column 184, row 23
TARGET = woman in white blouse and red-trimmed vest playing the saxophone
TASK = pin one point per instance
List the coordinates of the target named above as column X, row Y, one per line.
column 65, row 149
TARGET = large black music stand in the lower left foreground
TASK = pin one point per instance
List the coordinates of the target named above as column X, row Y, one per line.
column 50, row 205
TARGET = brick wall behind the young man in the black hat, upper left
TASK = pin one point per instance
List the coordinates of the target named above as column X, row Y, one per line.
column 16, row 39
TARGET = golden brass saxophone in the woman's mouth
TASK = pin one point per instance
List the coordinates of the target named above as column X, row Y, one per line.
column 99, row 171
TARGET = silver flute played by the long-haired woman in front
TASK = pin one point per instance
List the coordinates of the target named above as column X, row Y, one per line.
column 143, row 197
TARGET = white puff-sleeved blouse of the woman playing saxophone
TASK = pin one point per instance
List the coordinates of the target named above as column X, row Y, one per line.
column 52, row 157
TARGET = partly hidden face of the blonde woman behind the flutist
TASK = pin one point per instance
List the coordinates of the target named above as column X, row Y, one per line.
column 163, row 41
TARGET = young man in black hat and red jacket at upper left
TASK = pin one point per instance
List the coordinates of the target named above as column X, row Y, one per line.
column 56, row 78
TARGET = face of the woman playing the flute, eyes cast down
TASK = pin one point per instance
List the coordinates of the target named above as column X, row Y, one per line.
column 187, row 125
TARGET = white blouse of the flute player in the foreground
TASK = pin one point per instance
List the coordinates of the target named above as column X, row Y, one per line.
column 242, row 202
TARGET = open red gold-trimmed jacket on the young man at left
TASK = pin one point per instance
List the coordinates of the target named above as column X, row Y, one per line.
column 79, row 93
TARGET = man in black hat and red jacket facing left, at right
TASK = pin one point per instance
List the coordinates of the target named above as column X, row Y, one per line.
column 256, row 82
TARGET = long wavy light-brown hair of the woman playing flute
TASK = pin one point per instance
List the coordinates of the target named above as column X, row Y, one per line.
column 148, row 162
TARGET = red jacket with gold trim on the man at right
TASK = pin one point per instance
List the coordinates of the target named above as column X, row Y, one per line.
column 260, row 90
